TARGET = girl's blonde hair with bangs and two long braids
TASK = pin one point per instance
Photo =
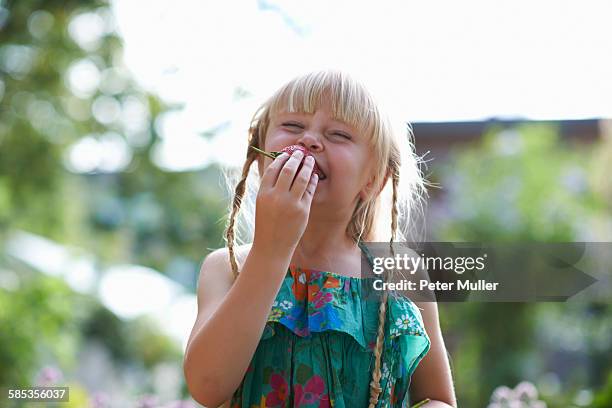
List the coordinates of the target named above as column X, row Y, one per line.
column 398, row 189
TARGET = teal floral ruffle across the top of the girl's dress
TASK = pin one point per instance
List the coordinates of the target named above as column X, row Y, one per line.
column 311, row 301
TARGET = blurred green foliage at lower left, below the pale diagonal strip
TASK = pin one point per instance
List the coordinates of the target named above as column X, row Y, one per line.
column 43, row 322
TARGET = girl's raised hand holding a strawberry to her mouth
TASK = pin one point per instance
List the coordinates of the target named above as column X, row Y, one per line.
column 283, row 204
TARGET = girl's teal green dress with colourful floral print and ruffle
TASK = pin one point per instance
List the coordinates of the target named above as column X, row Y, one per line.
column 316, row 349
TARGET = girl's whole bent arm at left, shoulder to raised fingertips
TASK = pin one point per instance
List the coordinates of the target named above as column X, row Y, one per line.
column 231, row 317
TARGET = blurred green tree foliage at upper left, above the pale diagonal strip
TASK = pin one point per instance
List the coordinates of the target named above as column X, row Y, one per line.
column 142, row 215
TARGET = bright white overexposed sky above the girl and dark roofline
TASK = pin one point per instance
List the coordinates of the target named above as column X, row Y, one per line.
column 434, row 61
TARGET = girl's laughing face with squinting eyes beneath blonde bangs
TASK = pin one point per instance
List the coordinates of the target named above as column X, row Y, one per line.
column 340, row 151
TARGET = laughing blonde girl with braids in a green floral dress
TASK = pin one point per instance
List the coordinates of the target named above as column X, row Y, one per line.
column 282, row 322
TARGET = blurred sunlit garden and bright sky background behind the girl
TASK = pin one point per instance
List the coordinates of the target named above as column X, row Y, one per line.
column 116, row 118
